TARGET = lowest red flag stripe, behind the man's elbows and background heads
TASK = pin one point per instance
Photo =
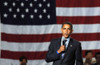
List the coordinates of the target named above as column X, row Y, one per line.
column 31, row 55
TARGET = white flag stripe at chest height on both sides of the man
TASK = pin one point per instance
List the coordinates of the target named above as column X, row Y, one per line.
column 86, row 45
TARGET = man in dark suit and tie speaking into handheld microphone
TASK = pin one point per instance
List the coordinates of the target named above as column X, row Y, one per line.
column 65, row 50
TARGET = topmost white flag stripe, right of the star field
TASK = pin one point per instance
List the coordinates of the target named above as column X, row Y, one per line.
column 77, row 11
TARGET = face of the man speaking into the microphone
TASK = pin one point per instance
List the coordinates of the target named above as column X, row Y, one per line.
column 66, row 30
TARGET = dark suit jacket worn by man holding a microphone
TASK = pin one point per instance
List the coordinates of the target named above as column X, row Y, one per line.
column 72, row 53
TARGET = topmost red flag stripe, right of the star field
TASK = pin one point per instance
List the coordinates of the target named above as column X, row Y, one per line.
column 77, row 3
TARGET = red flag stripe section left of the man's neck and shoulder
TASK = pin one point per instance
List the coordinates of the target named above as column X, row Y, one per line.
column 28, row 38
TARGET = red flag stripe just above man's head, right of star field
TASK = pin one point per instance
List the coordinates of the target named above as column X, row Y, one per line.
column 79, row 19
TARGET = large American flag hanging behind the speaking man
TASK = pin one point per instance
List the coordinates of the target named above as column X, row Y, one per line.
column 27, row 26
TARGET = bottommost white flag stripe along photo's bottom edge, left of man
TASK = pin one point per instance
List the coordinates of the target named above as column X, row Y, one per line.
column 30, row 62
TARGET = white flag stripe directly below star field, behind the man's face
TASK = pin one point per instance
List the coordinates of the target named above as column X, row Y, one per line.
column 45, row 29
